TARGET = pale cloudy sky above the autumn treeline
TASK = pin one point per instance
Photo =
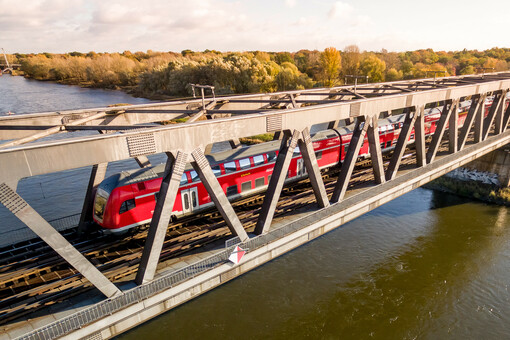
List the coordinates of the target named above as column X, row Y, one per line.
column 59, row 26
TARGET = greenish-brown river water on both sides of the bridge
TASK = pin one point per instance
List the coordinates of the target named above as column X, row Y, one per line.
column 427, row 265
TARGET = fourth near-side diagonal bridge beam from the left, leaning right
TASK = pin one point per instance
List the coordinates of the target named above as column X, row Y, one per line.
column 277, row 181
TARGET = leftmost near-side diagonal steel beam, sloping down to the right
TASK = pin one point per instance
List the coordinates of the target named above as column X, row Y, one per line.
column 26, row 214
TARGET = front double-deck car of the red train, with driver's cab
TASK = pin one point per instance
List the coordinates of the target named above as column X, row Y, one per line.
column 127, row 199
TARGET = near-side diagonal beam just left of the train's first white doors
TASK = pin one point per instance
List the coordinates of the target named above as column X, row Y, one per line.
column 162, row 212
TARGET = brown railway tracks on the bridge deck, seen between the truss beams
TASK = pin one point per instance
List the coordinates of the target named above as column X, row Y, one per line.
column 34, row 276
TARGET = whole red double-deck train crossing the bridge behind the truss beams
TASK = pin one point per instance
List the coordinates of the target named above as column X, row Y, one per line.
column 127, row 199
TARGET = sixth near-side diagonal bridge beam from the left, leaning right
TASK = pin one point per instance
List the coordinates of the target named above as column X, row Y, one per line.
column 355, row 144
